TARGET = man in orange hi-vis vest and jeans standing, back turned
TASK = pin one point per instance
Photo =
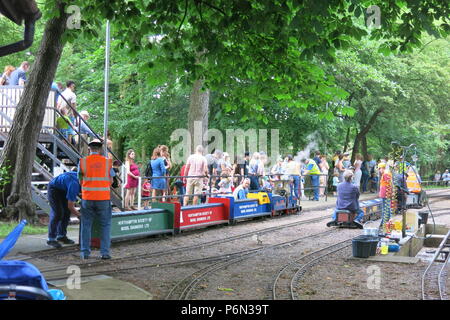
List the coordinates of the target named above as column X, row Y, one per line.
column 95, row 174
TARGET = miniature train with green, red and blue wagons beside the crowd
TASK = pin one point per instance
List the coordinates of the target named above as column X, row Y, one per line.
column 171, row 218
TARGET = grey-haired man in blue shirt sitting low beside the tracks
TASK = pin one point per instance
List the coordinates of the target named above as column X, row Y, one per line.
column 348, row 199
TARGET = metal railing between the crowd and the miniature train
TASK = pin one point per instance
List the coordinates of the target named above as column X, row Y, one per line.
column 210, row 186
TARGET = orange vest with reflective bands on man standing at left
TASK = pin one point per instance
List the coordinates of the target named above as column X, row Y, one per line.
column 95, row 183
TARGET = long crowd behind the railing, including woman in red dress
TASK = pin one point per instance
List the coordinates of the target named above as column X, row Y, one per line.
column 215, row 173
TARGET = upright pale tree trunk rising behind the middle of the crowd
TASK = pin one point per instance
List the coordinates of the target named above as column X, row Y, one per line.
column 198, row 115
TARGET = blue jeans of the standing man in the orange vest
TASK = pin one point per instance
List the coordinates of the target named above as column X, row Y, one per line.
column 90, row 210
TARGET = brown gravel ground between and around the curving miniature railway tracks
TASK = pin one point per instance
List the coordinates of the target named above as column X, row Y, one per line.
column 337, row 277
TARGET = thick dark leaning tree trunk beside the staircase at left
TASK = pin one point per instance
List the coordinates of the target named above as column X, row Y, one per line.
column 20, row 147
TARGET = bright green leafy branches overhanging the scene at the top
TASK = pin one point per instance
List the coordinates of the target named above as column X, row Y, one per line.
column 271, row 45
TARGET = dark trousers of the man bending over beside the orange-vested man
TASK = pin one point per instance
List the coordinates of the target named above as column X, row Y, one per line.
column 59, row 213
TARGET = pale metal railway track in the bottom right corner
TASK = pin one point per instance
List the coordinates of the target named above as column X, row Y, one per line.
column 434, row 277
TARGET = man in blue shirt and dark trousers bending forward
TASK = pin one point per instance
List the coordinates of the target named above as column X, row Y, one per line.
column 63, row 191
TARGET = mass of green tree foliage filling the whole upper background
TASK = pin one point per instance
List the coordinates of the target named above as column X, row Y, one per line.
column 300, row 66
